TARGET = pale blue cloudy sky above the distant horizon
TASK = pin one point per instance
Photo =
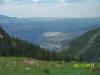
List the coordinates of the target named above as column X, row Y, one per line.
column 50, row 8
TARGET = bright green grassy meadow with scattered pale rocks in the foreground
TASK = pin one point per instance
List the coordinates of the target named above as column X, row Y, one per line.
column 27, row 66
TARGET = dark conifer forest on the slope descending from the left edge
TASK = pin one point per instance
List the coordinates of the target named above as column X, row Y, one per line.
column 11, row 46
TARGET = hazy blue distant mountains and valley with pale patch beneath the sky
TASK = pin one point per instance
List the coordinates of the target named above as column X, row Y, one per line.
column 34, row 29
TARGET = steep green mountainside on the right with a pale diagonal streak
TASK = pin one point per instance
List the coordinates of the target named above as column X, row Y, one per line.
column 87, row 46
